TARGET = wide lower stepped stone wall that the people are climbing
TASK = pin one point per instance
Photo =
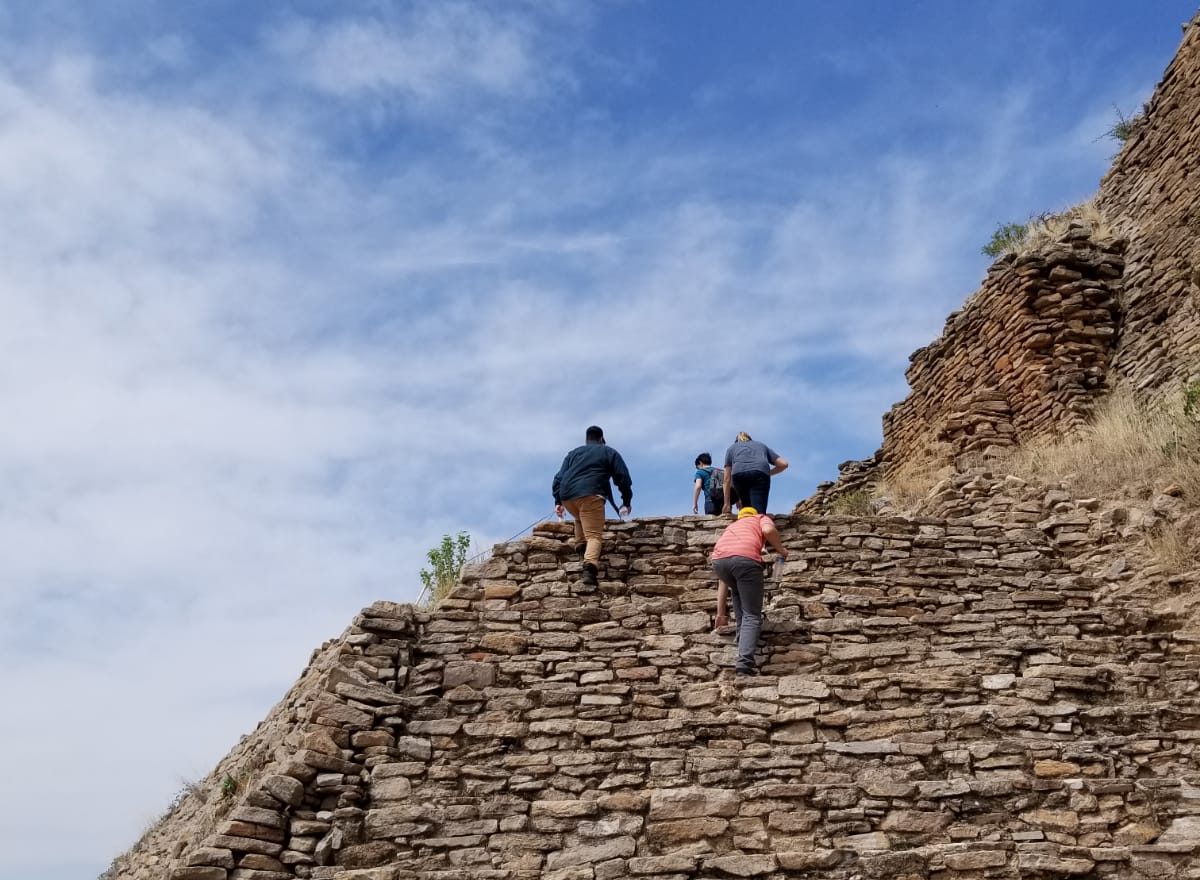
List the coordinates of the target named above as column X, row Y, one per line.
column 941, row 698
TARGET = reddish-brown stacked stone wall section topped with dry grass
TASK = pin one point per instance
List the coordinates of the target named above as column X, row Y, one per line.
column 1023, row 358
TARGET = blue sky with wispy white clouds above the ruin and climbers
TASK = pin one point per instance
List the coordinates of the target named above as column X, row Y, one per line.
column 292, row 290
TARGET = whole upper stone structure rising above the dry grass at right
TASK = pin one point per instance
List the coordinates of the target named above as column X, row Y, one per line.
column 1047, row 333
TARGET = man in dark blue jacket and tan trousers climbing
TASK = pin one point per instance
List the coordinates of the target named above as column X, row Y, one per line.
column 581, row 487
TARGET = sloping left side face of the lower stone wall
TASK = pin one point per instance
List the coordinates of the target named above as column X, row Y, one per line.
column 290, row 780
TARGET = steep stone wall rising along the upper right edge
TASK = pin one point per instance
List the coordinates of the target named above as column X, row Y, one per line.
column 1153, row 195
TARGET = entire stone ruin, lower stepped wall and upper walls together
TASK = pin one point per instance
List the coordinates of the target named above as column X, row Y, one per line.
column 985, row 692
